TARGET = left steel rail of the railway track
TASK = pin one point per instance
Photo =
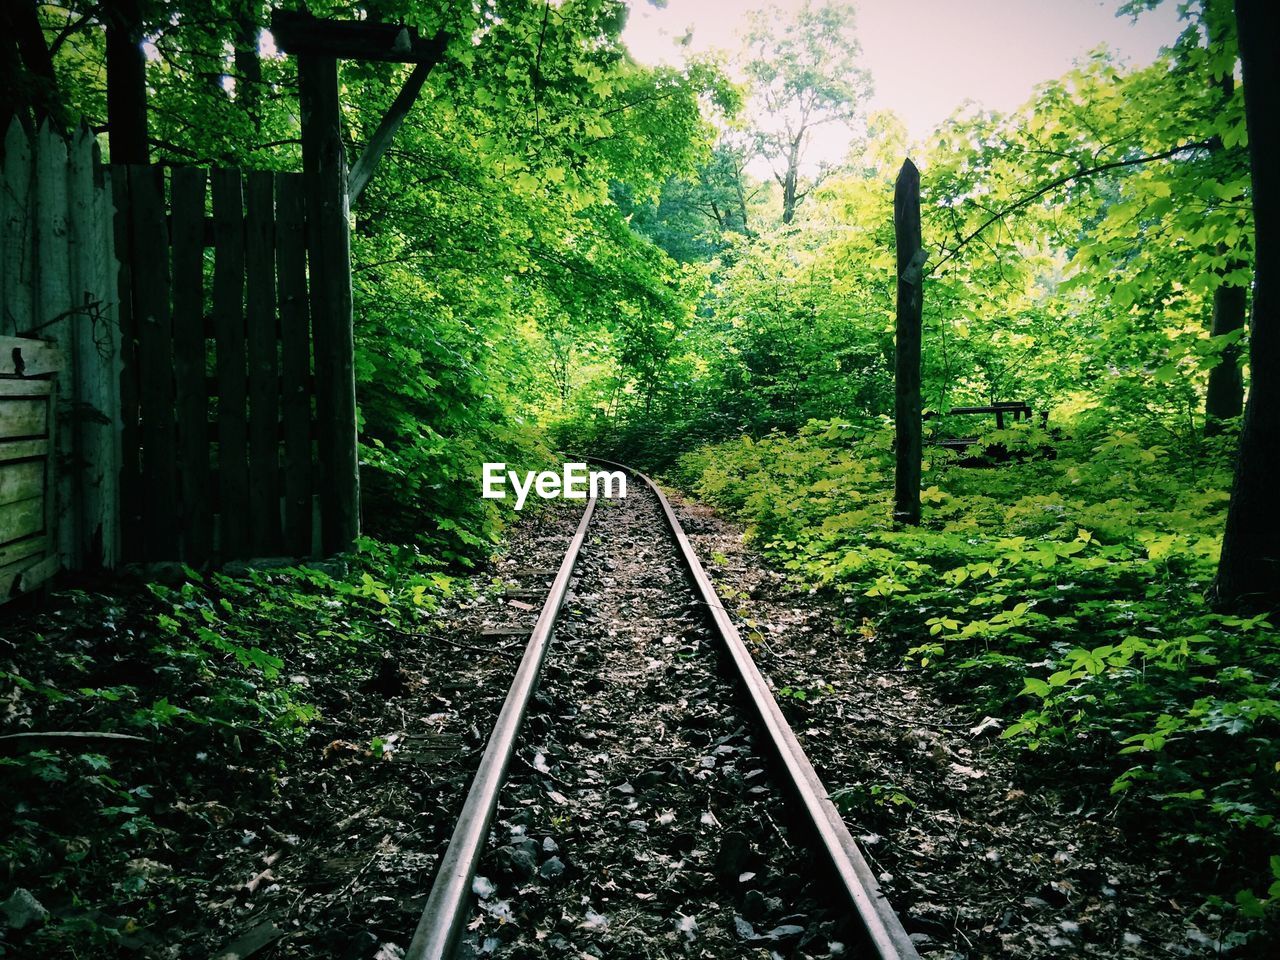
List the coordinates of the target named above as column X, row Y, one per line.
column 442, row 920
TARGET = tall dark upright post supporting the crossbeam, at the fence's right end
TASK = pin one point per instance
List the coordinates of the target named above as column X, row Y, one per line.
column 324, row 167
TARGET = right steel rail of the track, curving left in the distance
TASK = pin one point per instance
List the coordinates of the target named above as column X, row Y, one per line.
column 881, row 924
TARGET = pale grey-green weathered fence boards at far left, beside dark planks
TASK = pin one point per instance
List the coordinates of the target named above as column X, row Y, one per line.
column 58, row 284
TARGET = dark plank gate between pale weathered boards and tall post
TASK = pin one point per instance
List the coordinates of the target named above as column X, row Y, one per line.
column 220, row 388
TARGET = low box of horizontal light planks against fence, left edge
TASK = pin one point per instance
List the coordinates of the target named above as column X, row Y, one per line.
column 29, row 490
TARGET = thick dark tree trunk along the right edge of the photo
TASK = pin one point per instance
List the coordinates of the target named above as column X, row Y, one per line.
column 1249, row 573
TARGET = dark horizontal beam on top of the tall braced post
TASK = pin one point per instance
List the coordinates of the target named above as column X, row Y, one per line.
column 299, row 33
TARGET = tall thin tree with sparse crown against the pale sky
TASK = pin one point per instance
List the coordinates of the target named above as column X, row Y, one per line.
column 804, row 77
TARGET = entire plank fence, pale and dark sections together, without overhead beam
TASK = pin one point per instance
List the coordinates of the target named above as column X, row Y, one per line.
column 193, row 399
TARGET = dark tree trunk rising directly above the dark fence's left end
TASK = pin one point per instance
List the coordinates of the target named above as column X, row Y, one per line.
column 126, row 84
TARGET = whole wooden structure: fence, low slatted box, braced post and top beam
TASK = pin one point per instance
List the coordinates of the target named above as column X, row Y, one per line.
column 180, row 378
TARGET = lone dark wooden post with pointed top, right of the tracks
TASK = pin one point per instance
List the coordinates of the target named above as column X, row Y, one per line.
column 907, row 360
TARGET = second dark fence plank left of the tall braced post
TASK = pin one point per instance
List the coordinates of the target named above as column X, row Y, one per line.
column 264, row 401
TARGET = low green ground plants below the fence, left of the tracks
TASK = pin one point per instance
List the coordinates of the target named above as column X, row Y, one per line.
column 216, row 670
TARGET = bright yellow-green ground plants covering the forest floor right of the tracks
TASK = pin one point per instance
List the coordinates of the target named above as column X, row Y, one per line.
column 1040, row 588
